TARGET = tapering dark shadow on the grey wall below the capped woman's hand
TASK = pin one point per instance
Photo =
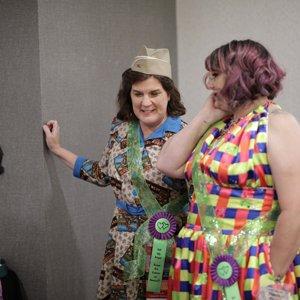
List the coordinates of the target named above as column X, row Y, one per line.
column 64, row 264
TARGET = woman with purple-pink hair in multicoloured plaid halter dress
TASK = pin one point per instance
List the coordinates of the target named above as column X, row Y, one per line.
column 240, row 156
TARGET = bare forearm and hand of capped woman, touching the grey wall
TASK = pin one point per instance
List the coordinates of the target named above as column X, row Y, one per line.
column 52, row 133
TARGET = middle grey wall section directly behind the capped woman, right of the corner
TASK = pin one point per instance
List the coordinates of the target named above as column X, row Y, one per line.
column 85, row 45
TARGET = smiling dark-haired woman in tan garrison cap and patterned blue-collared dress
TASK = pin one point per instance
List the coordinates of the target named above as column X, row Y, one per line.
column 149, row 114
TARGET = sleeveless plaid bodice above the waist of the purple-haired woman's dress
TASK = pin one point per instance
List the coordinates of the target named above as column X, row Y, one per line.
column 233, row 158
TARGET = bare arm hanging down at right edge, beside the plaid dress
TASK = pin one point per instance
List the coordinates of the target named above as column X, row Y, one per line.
column 284, row 157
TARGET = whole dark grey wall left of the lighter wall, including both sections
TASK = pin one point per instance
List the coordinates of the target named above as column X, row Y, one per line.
column 63, row 59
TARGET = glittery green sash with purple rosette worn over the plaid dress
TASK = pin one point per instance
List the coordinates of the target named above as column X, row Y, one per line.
column 226, row 254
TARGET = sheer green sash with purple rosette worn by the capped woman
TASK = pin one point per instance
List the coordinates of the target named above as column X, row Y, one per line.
column 160, row 226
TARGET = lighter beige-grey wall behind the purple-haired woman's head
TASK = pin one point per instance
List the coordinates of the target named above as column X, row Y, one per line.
column 203, row 25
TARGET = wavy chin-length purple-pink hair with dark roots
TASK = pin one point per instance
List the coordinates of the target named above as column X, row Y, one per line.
column 250, row 71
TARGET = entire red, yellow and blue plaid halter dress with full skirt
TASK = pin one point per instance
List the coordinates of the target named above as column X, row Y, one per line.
column 239, row 185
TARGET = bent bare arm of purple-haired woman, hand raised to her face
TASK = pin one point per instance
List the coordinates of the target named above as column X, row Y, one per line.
column 177, row 149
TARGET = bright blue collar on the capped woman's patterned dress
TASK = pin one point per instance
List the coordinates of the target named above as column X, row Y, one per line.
column 171, row 124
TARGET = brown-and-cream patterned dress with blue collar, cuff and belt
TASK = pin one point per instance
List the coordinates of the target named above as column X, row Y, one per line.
column 129, row 215
